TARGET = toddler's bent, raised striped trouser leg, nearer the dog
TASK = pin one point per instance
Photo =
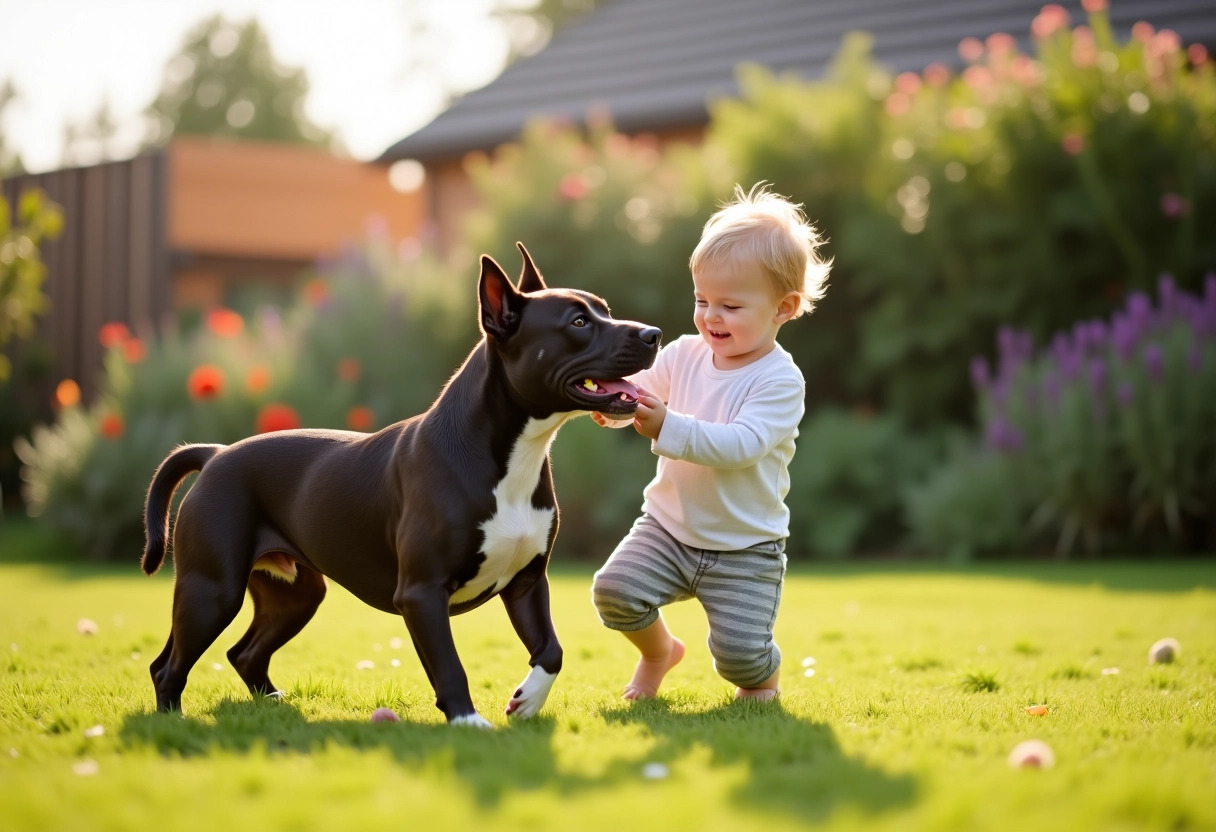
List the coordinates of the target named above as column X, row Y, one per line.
column 649, row 570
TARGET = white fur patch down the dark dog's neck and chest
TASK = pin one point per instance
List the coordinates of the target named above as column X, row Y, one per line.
column 517, row 532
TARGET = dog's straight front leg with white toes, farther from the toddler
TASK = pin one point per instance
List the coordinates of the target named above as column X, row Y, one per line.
column 425, row 610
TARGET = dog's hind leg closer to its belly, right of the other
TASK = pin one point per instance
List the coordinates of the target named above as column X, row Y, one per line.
column 280, row 612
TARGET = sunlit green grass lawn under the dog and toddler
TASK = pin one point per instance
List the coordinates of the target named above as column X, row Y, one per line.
column 922, row 679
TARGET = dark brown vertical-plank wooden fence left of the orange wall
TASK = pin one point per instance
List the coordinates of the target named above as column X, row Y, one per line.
column 110, row 265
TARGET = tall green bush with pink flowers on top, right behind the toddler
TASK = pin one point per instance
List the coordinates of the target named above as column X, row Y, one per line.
column 1032, row 190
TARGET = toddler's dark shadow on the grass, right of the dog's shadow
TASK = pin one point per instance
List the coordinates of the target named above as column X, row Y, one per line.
column 795, row 766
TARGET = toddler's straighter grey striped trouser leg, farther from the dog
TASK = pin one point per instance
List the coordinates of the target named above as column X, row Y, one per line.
column 741, row 593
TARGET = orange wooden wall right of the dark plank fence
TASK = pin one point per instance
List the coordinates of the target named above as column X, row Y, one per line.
column 282, row 203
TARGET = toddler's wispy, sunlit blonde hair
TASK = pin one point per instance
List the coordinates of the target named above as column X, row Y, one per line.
column 769, row 231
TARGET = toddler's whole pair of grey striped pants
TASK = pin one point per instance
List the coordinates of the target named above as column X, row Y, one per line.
column 740, row 591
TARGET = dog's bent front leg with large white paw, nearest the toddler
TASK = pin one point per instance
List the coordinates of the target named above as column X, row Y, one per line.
column 527, row 601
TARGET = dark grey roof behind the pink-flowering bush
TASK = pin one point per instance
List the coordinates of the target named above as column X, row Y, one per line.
column 656, row 64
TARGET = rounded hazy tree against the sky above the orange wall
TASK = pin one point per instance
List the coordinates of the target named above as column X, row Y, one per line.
column 226, row 82
